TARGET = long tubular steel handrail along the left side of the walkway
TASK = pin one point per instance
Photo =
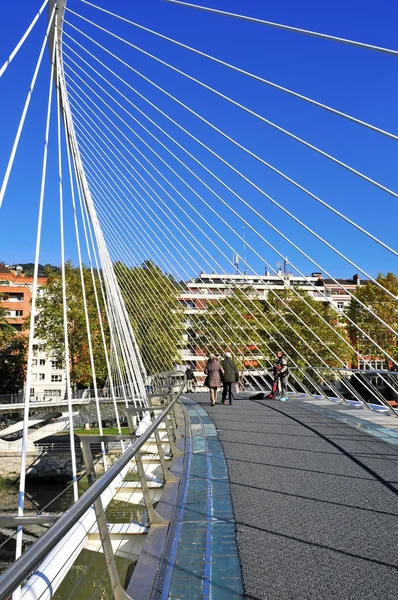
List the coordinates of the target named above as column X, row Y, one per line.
column 25, row 565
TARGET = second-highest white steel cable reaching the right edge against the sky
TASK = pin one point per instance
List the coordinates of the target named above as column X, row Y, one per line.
column 247, row 73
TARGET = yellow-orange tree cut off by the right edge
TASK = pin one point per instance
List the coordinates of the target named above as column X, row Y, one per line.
column 383, row 306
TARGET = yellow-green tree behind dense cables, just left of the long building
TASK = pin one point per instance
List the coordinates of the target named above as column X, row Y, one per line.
column 156, row 315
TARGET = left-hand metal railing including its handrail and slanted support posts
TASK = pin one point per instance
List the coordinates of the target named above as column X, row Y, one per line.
column 17, row 573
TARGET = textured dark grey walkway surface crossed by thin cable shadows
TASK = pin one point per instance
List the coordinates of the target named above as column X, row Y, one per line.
column 315, row 502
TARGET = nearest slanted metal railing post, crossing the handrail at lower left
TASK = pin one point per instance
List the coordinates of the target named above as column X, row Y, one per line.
column 117, row 589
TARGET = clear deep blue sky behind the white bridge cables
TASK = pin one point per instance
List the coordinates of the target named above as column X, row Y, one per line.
column 359, row 82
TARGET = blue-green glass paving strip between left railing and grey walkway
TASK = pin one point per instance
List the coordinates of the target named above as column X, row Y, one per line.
column 203, row 562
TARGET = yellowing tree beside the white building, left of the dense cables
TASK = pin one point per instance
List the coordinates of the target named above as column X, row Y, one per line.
column 49, row 325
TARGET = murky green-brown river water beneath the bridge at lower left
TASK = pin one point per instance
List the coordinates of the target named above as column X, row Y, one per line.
column 87, row 580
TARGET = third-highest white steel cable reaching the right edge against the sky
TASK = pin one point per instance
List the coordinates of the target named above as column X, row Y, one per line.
column 237, row 104
